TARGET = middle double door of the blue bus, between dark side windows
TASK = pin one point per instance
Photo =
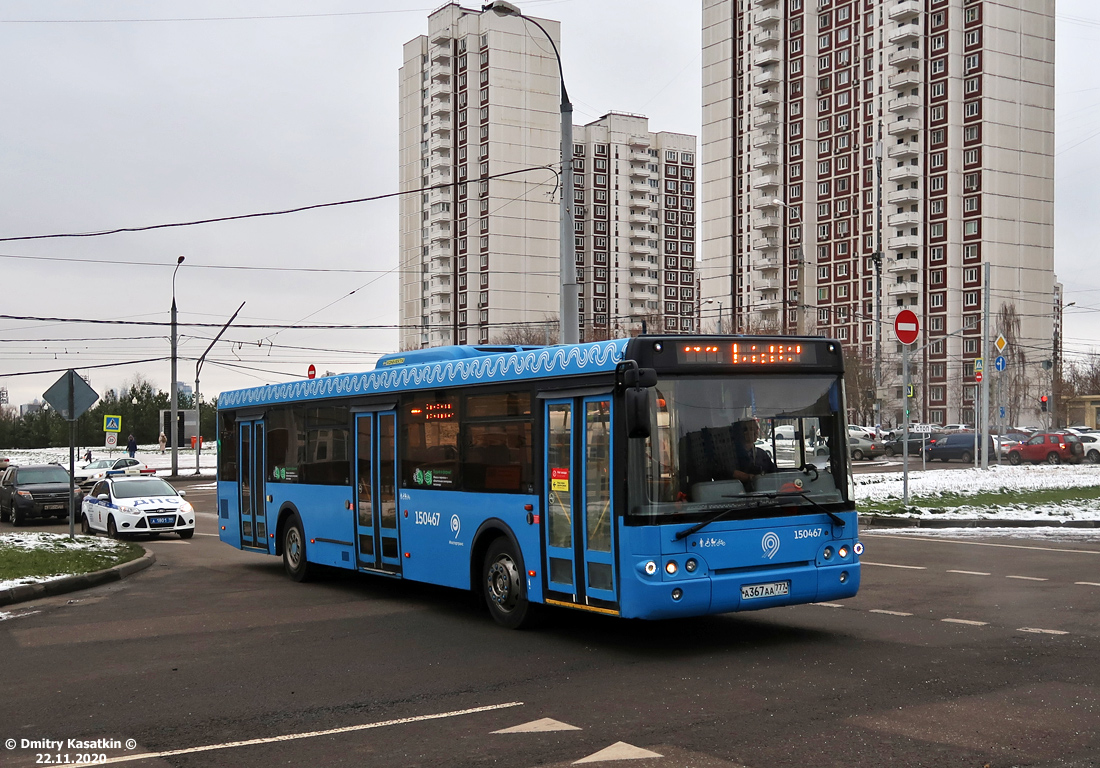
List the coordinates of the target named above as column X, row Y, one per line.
column 378, row 543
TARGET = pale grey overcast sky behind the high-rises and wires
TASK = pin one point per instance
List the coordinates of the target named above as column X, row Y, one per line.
column 123, row 115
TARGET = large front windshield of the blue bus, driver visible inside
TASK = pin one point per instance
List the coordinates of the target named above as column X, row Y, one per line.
column 721, row 442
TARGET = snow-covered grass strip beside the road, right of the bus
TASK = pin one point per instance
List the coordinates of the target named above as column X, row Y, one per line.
column 928, row 486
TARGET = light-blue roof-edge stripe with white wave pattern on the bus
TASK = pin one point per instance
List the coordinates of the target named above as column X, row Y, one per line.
column 543, row 364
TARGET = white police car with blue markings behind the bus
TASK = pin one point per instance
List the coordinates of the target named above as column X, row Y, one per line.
column 137, row 506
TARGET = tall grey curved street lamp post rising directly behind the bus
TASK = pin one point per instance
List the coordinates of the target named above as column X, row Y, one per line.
column 569, row 316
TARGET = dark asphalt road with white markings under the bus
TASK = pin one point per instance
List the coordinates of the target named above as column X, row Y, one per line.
column 953, row 654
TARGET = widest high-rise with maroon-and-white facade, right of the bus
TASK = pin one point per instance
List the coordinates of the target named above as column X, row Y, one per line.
column 848, row 142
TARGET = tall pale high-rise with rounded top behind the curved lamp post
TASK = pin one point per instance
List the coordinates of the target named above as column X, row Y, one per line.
column 479, row 98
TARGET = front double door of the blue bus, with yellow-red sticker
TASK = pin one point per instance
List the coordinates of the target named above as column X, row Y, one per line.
column 580, row 523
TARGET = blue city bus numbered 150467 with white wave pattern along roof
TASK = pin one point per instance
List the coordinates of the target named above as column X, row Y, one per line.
column 645, row 478
